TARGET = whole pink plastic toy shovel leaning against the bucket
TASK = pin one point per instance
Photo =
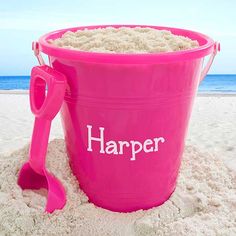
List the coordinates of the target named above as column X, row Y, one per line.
column 34, row 174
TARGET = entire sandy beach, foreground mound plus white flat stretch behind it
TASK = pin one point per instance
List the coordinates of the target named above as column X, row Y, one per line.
column 204, row 202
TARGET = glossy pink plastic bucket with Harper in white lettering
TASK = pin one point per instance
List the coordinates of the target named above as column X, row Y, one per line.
column 125, row 117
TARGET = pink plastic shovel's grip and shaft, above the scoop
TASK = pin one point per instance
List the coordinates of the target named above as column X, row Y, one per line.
column 44, row 107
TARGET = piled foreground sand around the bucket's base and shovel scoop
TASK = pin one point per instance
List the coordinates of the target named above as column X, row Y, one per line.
column 204, row 202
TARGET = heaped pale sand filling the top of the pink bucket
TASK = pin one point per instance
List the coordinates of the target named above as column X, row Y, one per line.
column 124, row 40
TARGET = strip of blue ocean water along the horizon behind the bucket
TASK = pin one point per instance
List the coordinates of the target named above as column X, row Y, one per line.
column 211, row 84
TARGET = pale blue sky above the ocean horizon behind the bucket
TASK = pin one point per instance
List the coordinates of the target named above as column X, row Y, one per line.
column 22, row 22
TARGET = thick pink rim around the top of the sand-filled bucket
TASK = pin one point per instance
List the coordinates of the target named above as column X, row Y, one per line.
column 206, row 47
